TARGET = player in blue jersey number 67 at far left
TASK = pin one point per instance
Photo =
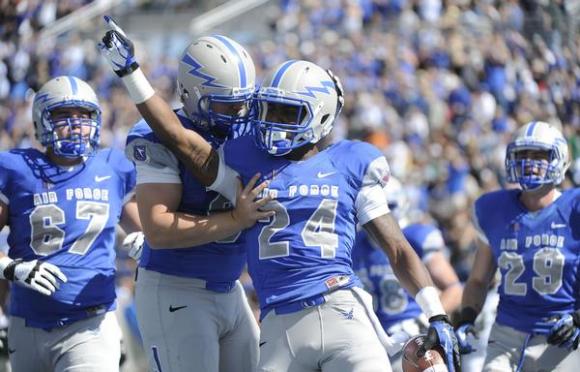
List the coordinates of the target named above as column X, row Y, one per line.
column 62, row 206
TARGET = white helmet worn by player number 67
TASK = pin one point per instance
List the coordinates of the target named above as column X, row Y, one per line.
column 61, row 92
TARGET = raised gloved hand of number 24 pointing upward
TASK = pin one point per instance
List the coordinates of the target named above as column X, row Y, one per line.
column 118, row 49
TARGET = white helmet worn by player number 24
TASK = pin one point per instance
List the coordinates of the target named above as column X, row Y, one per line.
column 296, row 105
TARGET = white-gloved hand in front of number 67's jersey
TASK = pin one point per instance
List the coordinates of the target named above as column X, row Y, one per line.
column 39, row 276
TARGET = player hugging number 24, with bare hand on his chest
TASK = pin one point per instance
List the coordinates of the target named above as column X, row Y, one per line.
column 192, row 311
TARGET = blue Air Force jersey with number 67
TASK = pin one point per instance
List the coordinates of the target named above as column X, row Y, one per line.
column 66, row 217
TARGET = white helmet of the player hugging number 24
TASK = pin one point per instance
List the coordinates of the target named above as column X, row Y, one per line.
column 216, row 69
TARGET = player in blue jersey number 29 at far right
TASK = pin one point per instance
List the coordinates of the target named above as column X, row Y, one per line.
column 531, row 235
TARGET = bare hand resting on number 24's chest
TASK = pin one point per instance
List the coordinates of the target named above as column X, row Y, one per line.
column 248, row 208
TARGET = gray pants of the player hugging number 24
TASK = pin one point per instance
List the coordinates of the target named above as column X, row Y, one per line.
column 187, row 328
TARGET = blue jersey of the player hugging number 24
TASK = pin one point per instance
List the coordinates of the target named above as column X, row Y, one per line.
column 218, row 263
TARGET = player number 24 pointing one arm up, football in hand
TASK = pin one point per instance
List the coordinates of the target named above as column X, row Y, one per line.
column 314, row 314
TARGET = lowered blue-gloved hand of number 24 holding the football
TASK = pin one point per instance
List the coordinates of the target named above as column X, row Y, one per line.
column 441, row 333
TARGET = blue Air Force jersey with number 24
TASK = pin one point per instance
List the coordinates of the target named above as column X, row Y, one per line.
column 305, row 249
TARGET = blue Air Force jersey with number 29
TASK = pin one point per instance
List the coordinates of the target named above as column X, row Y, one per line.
column 538, row 254
